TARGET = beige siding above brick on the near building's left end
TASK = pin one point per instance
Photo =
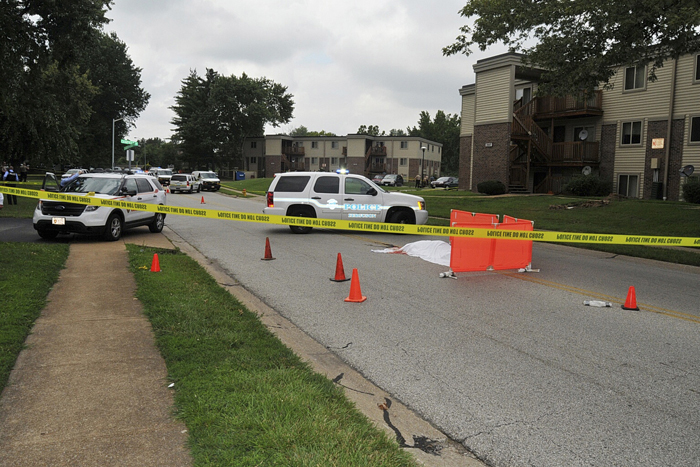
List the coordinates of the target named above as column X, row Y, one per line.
column 494, row 90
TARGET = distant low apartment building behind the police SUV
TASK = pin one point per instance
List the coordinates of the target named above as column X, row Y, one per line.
column 360, row 154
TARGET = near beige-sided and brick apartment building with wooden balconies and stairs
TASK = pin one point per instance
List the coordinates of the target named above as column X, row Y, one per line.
column 637, row 134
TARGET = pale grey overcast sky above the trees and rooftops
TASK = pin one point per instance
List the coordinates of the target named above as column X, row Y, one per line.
column 347, row 63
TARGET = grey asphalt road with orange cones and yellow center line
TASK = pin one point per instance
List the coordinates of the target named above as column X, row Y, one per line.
column 513, row 366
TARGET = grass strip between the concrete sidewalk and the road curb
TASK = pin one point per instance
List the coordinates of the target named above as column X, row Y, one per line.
column 247, row 399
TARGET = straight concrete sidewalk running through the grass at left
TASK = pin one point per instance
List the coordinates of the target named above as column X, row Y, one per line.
column 91, row 387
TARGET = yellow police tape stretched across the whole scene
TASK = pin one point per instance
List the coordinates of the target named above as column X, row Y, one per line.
column 537, row 236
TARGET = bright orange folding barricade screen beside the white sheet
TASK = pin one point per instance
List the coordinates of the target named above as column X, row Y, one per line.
column 481, row 254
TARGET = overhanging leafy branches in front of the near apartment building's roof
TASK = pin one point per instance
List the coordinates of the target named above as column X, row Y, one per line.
column 580, row 44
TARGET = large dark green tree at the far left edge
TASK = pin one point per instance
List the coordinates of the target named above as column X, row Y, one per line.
column 52, row 86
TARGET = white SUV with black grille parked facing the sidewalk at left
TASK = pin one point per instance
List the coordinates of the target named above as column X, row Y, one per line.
column 54, row 217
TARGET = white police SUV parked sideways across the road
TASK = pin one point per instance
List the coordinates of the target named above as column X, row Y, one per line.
column 340, row 196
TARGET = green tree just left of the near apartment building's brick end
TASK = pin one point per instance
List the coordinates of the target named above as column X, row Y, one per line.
column 443, row 129
